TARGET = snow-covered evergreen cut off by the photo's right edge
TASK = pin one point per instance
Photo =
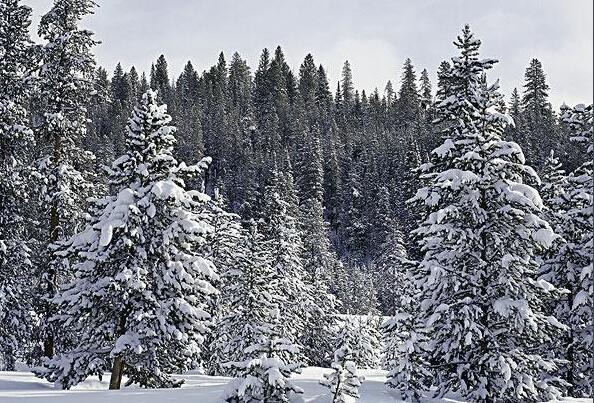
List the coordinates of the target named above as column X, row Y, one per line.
column 571, row 267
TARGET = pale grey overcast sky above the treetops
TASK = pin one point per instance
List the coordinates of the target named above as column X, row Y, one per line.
column 375, row 36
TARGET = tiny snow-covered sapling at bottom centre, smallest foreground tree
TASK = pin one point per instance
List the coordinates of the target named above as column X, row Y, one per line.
column 344, row 381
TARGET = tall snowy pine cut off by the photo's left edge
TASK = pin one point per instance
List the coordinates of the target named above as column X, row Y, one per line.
column 16, row 139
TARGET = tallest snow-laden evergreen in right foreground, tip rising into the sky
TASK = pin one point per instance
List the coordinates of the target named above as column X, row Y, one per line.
column 481, row 304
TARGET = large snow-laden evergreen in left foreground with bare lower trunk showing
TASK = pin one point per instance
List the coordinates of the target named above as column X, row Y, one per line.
column 138, row 300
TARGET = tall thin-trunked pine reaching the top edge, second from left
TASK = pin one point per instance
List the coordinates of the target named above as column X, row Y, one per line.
column 66, row 82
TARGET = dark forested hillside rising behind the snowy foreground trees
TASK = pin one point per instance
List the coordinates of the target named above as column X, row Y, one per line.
column 351, row 154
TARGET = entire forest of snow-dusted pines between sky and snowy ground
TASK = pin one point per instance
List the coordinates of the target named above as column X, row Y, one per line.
column 234, row 220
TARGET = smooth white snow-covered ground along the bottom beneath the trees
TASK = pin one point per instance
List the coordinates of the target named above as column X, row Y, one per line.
column 22, row 387
